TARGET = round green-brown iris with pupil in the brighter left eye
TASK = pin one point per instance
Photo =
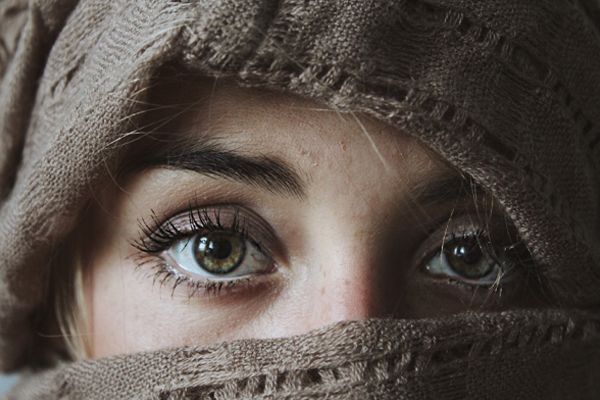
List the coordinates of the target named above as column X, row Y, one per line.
column 219, row 253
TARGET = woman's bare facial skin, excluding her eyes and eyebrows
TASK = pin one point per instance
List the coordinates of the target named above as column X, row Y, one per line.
column 353, row 246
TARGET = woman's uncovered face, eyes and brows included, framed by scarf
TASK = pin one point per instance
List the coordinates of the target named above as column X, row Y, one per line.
column 246, row 214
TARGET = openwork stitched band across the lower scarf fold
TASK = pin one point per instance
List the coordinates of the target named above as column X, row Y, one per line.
column 394, row 365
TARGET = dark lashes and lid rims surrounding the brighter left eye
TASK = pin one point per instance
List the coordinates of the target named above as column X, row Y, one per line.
column 157, row 237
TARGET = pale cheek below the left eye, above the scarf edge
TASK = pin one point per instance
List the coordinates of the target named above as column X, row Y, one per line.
column 131, row 310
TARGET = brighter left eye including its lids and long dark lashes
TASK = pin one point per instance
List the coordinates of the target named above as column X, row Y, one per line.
column 209, row 247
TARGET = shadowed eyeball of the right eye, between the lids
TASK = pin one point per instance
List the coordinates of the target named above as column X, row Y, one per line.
column 469, row 259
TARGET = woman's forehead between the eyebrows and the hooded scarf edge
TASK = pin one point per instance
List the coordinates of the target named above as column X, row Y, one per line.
column 193, row 111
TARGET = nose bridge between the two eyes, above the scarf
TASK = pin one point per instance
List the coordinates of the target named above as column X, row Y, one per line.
column 347, row 229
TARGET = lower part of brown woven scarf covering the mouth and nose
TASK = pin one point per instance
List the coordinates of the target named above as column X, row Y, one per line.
column 513, row 355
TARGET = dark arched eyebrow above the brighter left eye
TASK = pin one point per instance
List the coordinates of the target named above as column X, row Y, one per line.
column 262, row 171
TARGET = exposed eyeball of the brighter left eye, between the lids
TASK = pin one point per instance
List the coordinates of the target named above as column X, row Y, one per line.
column 218, row 255
